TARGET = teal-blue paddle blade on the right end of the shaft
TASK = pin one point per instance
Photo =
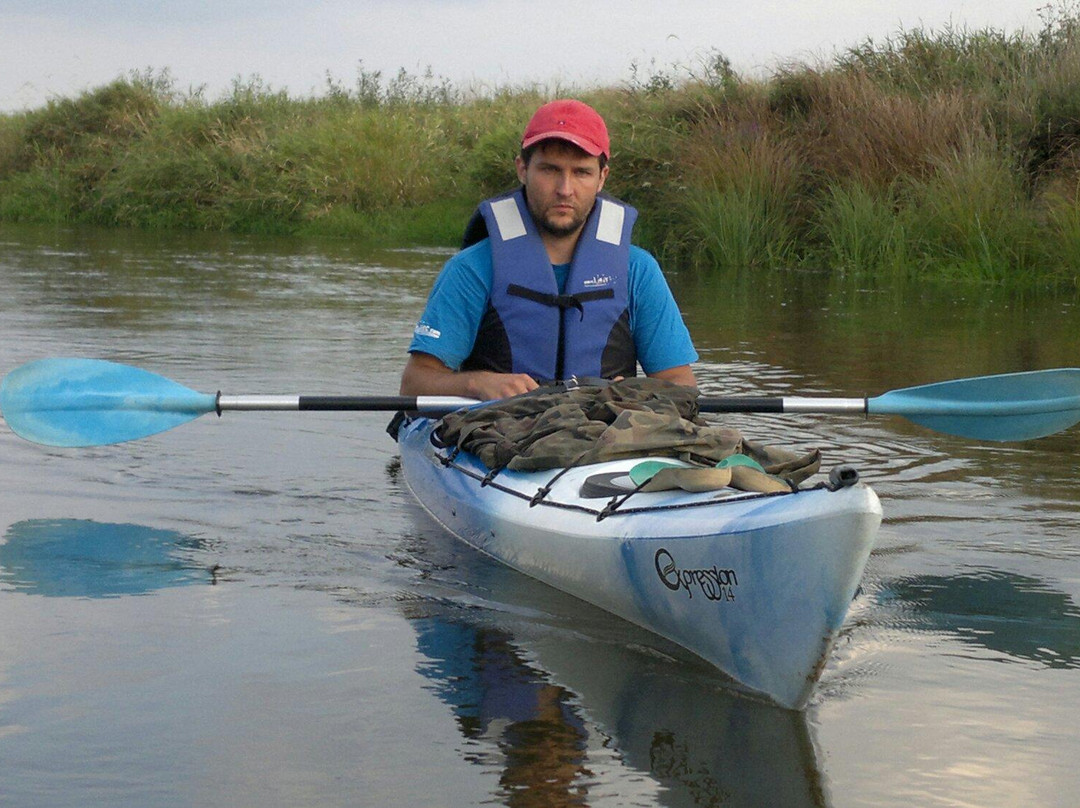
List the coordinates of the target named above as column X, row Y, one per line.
column 1015, row 407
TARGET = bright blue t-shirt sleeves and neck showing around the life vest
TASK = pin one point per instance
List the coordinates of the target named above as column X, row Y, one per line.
column 451, row 321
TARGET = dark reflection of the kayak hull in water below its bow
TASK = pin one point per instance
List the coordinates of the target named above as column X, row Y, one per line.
column 703, row 746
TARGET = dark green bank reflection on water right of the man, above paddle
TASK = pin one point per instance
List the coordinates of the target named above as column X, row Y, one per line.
column 857, row 339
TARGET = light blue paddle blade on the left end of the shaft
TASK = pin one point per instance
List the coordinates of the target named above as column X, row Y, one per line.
column 89, row 402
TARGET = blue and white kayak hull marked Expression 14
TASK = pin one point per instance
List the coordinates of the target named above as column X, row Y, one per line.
column 758, row 585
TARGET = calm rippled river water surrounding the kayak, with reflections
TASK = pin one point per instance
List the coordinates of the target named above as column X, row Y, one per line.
column 252, row 611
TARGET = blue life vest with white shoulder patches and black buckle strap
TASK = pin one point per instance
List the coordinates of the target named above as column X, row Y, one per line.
column 530, row 327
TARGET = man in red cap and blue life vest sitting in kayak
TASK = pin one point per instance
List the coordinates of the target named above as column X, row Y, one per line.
column 552, row 288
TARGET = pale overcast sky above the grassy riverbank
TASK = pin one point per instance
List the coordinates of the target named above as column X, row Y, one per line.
column 60, row 48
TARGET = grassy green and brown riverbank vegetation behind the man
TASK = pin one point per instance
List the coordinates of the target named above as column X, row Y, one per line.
column 949, row 155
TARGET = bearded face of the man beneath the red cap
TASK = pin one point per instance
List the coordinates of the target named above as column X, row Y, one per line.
column 561, row 185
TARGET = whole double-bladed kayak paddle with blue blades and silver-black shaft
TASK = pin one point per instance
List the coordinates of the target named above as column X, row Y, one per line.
column 86, row 402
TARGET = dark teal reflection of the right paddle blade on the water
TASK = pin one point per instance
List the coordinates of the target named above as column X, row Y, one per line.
column 1016, row 615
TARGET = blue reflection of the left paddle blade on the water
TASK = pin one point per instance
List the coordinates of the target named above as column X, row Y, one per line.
column 82, row 559
